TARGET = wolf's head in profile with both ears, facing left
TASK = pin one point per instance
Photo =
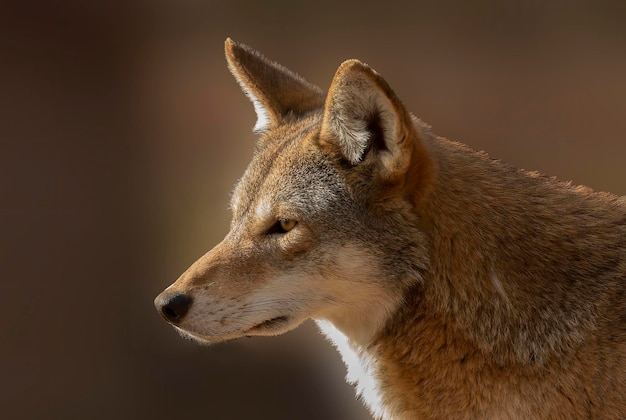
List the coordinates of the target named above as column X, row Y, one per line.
column 324, row 223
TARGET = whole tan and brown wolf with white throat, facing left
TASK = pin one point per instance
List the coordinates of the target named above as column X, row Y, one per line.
column 453, row 285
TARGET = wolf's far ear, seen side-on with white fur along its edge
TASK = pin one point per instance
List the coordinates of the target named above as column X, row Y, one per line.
column 276, row 92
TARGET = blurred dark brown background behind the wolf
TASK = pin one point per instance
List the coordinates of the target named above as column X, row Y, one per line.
column 122, row 133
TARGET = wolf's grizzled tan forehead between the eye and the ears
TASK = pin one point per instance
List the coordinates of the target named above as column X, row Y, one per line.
column 290, row 172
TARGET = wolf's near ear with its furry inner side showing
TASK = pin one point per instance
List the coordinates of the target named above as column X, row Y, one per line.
column 363, row 115
